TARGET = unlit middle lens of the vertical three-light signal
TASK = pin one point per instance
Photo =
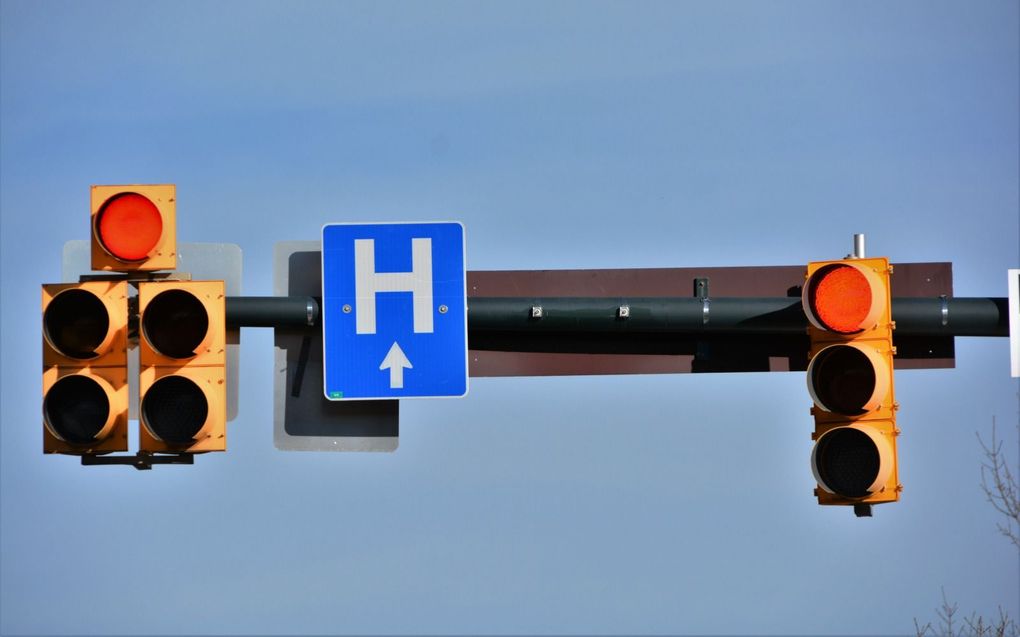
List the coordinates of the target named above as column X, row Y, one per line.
column 844, row 380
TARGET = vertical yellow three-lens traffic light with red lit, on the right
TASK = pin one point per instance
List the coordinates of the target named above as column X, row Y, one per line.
column 850, row 378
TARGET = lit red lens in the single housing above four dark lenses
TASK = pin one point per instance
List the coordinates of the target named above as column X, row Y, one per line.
column 129, row 227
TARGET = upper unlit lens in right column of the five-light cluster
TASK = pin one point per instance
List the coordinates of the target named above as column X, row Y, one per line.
column 176, row 324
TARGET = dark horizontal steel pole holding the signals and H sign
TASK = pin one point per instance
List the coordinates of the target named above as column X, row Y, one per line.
column 688, row 315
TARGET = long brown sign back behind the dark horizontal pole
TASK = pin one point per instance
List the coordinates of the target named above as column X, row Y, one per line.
column 556, row 355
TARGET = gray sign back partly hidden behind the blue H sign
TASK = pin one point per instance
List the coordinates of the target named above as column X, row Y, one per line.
column 303, row 419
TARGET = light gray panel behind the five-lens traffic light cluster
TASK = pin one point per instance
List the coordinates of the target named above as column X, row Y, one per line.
column 203, row 262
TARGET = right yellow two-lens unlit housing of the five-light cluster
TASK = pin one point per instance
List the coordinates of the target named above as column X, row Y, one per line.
column 182, row 360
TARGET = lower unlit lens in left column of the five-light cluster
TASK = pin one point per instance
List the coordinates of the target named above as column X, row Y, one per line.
column 76, row 409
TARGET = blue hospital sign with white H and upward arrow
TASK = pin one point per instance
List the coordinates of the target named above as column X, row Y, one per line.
column 394, row 311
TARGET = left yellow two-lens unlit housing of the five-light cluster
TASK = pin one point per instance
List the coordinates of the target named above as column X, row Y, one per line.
column 85, row 368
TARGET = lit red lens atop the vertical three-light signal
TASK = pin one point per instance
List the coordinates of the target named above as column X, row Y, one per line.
column 841, row 298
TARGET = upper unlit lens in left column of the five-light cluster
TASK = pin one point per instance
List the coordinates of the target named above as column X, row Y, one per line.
column 76, row 323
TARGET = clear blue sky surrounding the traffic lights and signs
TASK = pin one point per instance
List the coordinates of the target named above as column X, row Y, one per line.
column 563, row 136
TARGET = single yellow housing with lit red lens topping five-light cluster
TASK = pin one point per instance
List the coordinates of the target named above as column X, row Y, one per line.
column 134, row 228
